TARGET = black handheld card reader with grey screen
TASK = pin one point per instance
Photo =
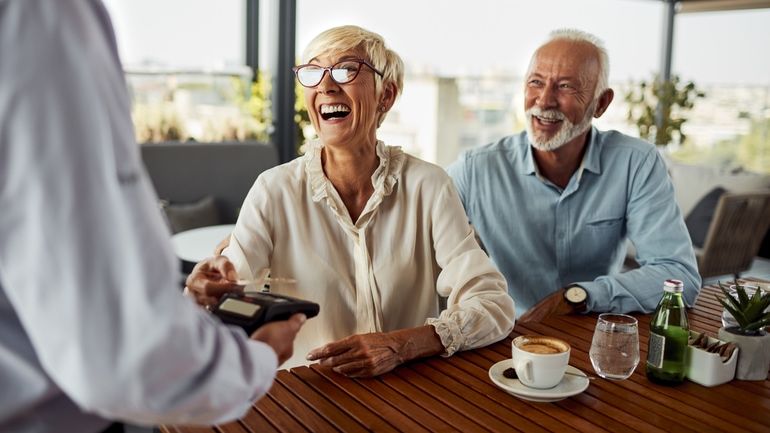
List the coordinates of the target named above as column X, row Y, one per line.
column 252, row 310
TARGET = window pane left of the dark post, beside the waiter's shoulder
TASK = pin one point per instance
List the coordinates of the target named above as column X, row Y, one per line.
column 185, row 67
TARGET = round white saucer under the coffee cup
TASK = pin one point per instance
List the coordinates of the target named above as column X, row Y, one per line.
column 570, row 385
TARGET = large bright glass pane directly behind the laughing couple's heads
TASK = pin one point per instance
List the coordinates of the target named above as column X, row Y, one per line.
column 465, row 60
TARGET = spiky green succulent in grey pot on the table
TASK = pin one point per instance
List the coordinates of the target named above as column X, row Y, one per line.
column 749, row 335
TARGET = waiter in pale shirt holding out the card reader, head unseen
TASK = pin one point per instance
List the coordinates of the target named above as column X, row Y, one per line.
column 92, row 327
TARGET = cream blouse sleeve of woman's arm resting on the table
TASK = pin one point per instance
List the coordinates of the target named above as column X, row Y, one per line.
column 479, row 310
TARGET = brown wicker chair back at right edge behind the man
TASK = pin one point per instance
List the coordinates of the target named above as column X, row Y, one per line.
column 735, row 234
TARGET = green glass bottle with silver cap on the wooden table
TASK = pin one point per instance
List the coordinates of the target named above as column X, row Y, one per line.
column 669, row 331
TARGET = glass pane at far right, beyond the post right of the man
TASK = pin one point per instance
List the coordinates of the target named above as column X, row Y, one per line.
column 729, row 128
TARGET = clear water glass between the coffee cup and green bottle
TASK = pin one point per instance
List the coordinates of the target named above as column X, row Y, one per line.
column 615, row 347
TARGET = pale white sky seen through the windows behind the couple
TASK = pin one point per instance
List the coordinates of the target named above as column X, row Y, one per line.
column 451, row 37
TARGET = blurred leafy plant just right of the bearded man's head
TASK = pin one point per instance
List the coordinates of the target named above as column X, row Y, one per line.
column 676, row 98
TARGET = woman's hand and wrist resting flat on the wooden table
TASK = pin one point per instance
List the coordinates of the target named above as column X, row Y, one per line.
column 366, row 355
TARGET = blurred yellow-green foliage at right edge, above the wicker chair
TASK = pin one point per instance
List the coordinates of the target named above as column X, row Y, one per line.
column 750, row 152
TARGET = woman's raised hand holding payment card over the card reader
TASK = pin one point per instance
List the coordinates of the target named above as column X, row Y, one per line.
column 210, row 279
